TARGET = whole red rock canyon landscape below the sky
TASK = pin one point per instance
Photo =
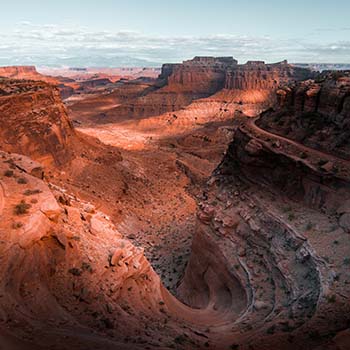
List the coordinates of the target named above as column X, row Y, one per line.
column 207, row 207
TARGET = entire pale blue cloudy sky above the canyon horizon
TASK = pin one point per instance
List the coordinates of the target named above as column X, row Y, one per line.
column 152, row 32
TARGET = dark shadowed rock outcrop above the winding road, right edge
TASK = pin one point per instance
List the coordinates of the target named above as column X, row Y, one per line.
column 315, row 113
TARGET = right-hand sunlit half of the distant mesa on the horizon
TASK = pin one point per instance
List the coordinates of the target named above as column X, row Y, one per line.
column 256, row 75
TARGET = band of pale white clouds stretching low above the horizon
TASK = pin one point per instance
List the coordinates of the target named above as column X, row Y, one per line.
column 55, row 45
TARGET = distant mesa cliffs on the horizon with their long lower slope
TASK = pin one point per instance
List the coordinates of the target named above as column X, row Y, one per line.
column 180, row 84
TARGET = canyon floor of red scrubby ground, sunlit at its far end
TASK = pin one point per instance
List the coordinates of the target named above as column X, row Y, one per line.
column 172, row 156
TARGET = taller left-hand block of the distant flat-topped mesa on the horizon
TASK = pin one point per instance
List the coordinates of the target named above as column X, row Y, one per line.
column 205, row 75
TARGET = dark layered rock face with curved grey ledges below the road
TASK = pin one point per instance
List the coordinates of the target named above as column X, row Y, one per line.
column 278, row 224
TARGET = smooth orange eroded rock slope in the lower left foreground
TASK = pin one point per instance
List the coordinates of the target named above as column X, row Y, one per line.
column 65, row 268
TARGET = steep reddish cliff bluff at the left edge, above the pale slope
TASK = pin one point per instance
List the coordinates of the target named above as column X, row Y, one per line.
column 34, row 121
